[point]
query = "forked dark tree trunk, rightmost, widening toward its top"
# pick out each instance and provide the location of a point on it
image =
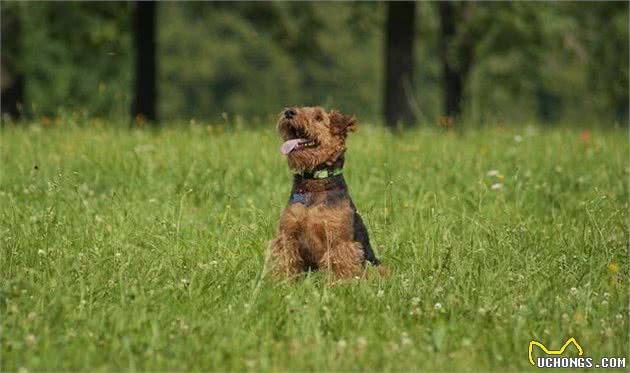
(456, 59)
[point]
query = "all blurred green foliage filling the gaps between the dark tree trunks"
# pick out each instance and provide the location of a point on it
(552, 61)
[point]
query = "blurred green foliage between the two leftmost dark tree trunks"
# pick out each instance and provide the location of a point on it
(77, 56)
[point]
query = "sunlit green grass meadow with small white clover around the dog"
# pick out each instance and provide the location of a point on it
(143, 250)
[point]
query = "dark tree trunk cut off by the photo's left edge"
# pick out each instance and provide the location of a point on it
(12, 84)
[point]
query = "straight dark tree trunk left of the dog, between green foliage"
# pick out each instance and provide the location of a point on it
(145, 84)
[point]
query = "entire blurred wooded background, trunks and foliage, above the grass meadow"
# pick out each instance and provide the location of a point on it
(391, 63)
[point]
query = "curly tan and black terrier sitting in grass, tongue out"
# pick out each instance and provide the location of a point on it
(320, 228)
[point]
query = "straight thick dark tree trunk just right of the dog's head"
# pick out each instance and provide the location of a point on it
(399, 63)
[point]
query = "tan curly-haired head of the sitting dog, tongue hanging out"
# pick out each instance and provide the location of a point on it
(313, 136)
